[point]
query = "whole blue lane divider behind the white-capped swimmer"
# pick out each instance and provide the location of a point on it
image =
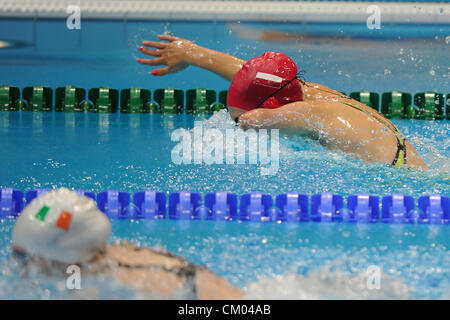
(255, 206)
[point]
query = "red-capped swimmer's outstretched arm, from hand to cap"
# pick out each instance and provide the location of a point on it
(177, 54)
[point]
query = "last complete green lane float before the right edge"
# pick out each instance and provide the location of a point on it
(431, 105)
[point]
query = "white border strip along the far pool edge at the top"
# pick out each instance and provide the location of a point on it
(285, 11)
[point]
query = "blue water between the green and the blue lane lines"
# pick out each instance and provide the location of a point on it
(133, 152)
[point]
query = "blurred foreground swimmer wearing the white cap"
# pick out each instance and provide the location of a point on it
(61, 228)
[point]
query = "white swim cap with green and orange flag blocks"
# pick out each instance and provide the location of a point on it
(63, 226)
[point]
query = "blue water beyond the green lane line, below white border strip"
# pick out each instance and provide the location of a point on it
(350, 57)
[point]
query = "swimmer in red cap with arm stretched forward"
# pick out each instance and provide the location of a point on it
(268, 92)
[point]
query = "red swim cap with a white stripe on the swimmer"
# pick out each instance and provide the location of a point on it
(262, 76)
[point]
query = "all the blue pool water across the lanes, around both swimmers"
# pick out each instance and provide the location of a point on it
(131, 152)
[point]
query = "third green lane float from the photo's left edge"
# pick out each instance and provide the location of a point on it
(69, 99)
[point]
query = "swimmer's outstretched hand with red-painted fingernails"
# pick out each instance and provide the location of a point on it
(173, 54)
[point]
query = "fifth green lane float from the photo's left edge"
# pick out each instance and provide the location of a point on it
(135, 100)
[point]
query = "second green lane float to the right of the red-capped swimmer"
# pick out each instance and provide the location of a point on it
(397, 104)
